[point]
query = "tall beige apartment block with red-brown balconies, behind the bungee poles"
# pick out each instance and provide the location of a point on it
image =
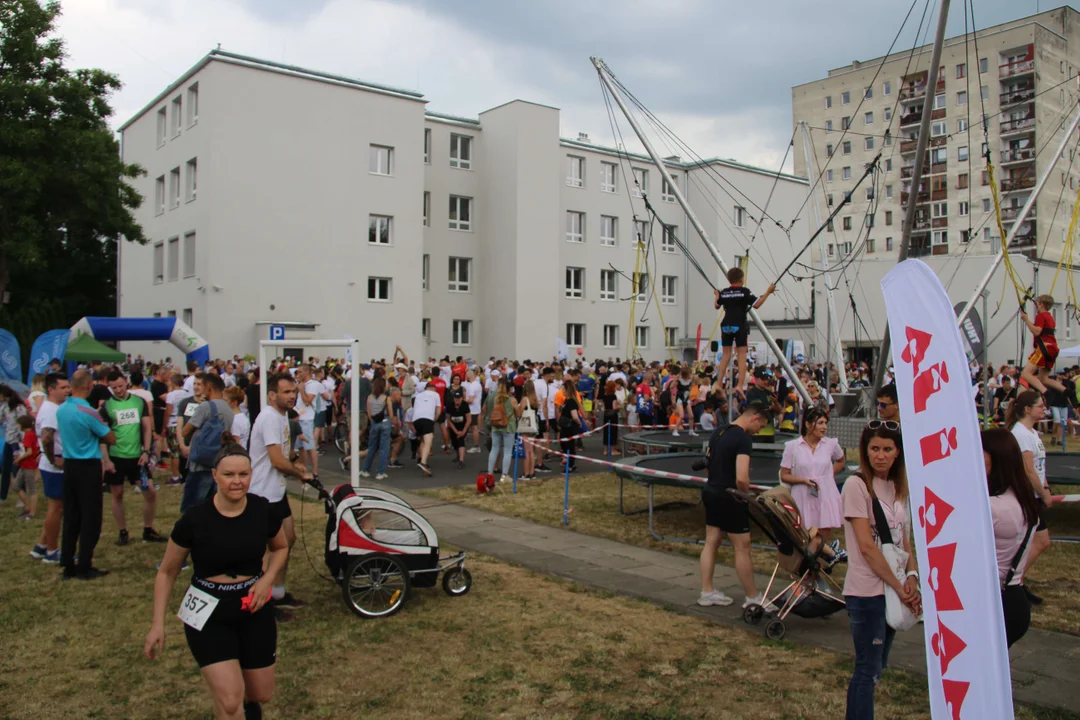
(1023, 78)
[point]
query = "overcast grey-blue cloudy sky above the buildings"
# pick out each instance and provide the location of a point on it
(719, 73)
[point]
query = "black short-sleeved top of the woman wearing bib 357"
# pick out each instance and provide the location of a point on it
(227, 546)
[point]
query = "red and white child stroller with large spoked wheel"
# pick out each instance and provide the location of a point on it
(379, 549)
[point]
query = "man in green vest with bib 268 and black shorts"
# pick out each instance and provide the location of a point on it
(131, 422)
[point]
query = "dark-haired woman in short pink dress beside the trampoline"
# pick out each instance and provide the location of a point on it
(809, 466)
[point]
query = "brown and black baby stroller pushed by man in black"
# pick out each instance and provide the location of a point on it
(803, 555)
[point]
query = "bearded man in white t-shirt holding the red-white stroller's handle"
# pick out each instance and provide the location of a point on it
(269, 453)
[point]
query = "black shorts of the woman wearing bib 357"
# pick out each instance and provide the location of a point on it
(232, 633)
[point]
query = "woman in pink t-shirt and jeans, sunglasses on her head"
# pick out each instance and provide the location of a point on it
(882, 480)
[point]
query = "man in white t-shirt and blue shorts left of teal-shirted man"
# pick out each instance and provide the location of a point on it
(51, 467)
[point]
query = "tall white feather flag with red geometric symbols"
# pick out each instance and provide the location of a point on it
(967, 657)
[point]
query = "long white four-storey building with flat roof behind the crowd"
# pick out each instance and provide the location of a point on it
(281, 196)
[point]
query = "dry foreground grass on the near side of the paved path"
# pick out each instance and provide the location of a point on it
(520, 646)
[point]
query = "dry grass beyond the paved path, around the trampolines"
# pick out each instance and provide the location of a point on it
(595, 500)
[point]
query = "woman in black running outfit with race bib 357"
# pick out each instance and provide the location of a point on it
(231, 630)
